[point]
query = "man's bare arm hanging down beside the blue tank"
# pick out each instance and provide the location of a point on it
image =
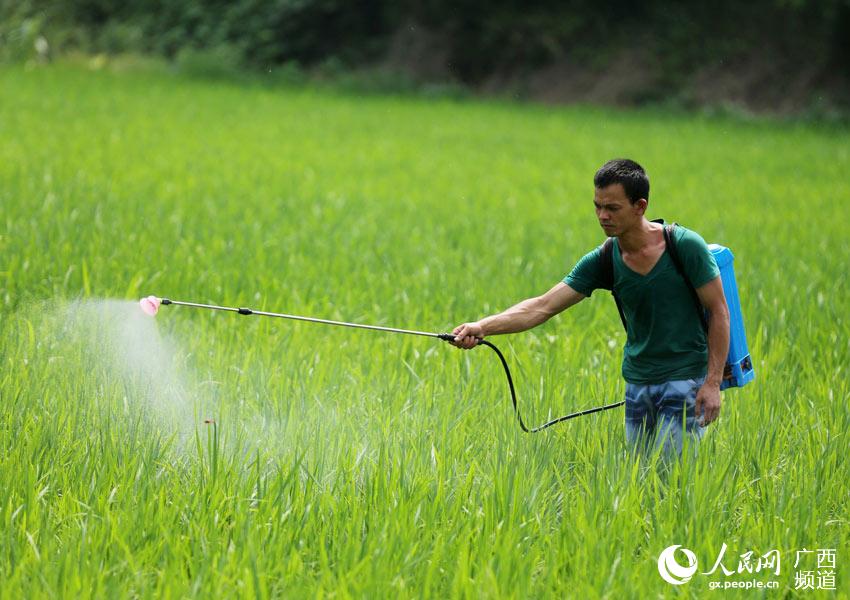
(708, 397)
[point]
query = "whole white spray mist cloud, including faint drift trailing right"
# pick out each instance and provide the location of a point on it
(131, 372)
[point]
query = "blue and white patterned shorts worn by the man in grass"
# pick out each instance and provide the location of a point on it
(659, 415)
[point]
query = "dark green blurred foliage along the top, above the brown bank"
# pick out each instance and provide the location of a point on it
(478, 39)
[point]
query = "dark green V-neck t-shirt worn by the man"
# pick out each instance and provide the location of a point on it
(665, 340)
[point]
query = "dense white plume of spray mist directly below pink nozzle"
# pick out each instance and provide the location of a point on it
(132, 371)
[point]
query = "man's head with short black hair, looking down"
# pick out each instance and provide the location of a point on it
(621, 195)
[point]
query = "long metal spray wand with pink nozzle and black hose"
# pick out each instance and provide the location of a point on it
(151, 306)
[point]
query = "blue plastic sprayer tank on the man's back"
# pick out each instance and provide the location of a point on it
(739, 365)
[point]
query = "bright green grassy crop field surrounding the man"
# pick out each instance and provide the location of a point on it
(356, 464)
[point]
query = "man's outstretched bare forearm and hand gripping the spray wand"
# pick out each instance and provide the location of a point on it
(520, 317)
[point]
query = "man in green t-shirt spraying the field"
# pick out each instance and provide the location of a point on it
(671, 366)
